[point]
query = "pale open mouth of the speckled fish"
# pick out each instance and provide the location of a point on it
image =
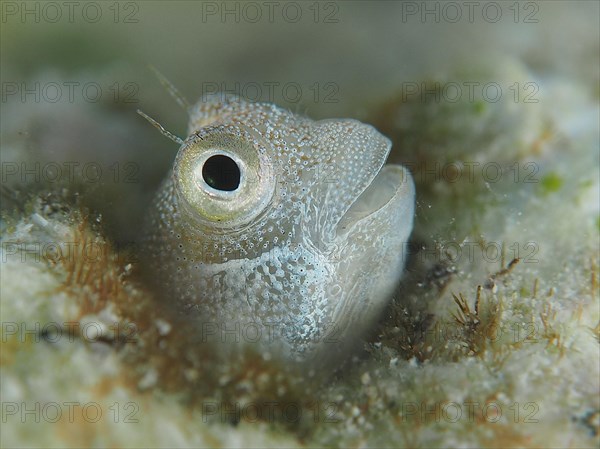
(386, 191)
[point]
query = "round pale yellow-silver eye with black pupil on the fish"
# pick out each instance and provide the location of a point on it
(224, 177)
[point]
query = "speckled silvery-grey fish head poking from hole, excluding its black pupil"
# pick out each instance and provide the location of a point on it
(291, 252)
